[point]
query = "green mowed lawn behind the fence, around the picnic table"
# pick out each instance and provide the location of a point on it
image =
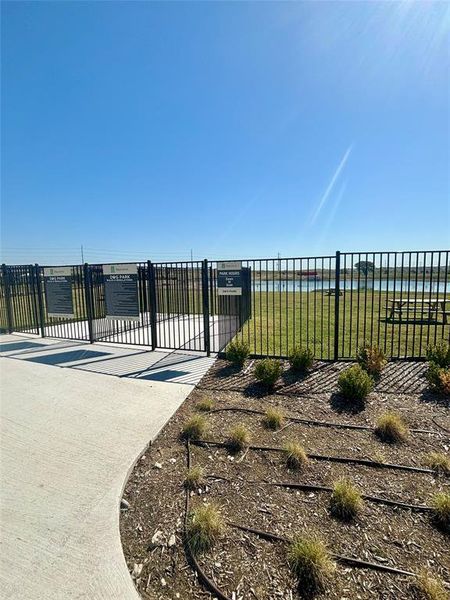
(281, 320)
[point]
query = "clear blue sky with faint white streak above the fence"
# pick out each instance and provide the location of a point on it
(145, 130)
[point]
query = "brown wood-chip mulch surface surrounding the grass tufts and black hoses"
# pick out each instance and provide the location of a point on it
(245, 566)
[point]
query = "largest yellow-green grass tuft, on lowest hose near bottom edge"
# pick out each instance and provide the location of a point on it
(310, 562)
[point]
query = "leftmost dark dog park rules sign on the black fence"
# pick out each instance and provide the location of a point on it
(58, 291)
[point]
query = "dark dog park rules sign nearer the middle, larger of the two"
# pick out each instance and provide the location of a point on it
(121, 292)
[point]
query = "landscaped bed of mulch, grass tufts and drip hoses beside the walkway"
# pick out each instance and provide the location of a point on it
(250, 488)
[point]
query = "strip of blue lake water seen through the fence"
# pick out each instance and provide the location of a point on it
(324, 284)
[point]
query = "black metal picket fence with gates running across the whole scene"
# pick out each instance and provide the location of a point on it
(332, 304)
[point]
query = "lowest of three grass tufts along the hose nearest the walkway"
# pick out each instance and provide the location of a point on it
(205, 526)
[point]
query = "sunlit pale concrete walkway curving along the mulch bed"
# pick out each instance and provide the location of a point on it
(68, 440)
